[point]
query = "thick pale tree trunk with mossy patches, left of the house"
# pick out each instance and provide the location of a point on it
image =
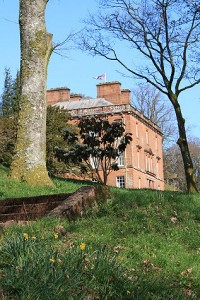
(29, 162)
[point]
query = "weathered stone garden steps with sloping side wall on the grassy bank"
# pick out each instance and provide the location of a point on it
(70, 206)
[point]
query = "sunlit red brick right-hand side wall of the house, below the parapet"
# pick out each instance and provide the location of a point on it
(143, 157)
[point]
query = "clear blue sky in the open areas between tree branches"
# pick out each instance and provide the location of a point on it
(76, 71)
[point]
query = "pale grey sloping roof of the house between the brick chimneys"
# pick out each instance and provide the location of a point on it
(83, 103)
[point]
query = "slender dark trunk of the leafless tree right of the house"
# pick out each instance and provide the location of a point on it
(183, 144)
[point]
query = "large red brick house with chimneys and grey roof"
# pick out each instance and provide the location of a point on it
(141, 166)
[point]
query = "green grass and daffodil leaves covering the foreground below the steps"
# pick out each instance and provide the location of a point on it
(140, 245)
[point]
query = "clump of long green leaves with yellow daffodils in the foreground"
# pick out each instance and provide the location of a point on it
(64, 271)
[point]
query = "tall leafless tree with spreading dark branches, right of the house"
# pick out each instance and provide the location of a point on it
(164, 36)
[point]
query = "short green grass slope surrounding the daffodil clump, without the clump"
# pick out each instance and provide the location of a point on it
(154, 235)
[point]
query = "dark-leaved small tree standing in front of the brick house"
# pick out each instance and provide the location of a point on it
(101, 145)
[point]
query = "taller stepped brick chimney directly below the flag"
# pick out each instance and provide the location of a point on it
(112, 92)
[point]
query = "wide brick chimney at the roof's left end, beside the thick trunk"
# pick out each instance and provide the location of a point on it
(57, 95)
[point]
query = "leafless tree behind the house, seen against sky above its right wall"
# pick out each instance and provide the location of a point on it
(150, 102)
